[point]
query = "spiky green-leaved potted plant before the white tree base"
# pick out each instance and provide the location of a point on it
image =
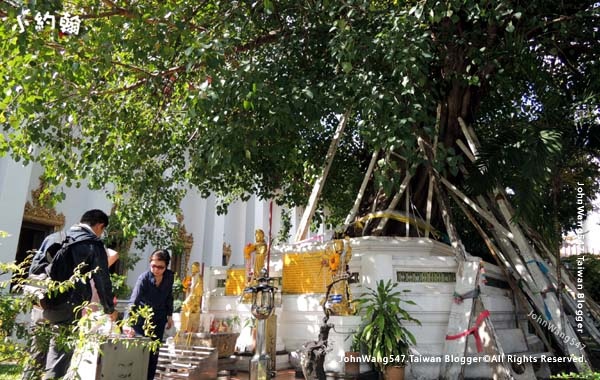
(384, 335)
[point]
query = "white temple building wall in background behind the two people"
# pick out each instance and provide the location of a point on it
(209, 230)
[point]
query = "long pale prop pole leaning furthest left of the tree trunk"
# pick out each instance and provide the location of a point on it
(318, 186)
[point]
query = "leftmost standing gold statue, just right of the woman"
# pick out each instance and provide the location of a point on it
(191, 307)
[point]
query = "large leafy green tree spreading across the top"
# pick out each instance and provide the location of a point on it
(240, 97)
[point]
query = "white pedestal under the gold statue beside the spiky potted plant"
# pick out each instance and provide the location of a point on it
(340, 341)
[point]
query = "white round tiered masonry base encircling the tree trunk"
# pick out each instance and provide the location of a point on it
(424, 268)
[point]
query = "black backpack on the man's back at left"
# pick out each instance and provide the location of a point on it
(55, 263)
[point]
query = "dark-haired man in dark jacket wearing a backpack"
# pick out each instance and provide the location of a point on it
(81, 247)
